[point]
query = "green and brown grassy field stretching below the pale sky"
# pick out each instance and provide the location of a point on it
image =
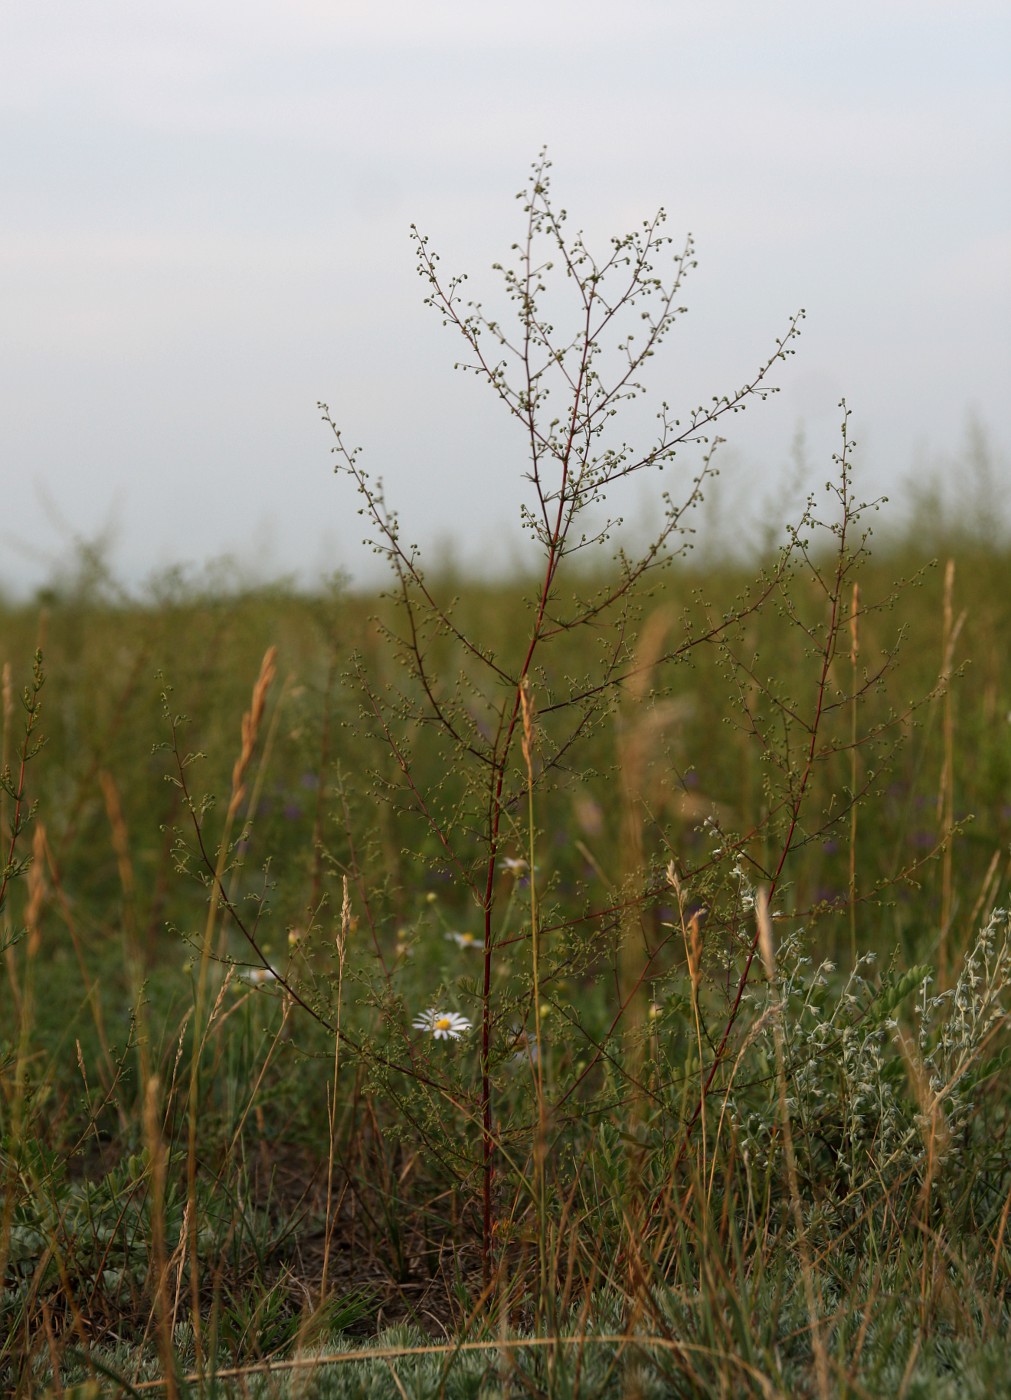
(239, 1158)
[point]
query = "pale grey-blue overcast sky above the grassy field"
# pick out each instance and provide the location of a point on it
(205, 229)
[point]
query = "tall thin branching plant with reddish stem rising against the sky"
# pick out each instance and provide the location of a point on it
(565, 366)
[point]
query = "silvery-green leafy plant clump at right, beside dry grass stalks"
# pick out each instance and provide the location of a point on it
(870, 1104)
